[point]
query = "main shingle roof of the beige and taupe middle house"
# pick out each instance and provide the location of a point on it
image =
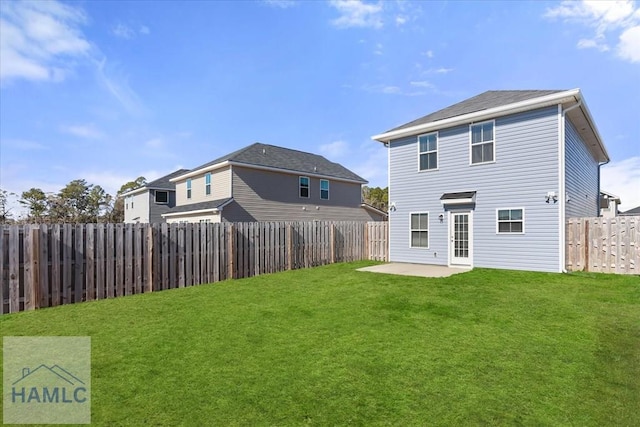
(259, 154)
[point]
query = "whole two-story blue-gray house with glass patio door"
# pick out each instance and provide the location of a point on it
(491, 181)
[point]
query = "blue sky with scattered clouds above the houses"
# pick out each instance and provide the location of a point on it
(108, 91)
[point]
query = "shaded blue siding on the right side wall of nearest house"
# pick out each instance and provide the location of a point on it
(581, 176)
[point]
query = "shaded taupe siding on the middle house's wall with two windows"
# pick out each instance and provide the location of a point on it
(271, 196)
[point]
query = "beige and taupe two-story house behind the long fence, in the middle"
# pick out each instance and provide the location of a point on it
(268, 183)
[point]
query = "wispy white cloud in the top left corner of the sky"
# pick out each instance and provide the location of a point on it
(39, 40)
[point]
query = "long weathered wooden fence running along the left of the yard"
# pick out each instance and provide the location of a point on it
(50, 265)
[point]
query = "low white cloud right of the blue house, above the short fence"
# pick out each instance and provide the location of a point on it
(622, 178)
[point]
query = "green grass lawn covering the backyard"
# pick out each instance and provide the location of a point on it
(334, 346)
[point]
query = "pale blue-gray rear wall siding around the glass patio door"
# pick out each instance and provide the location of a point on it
(526, 168)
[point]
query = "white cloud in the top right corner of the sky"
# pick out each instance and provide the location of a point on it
(607, 20)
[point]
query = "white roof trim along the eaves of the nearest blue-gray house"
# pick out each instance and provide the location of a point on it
(516, 107)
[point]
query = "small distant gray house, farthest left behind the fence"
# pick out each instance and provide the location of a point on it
(149, 202)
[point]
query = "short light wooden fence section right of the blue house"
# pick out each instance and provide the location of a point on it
(605, 245)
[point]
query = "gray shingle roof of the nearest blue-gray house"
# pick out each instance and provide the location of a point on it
(484, 101)
